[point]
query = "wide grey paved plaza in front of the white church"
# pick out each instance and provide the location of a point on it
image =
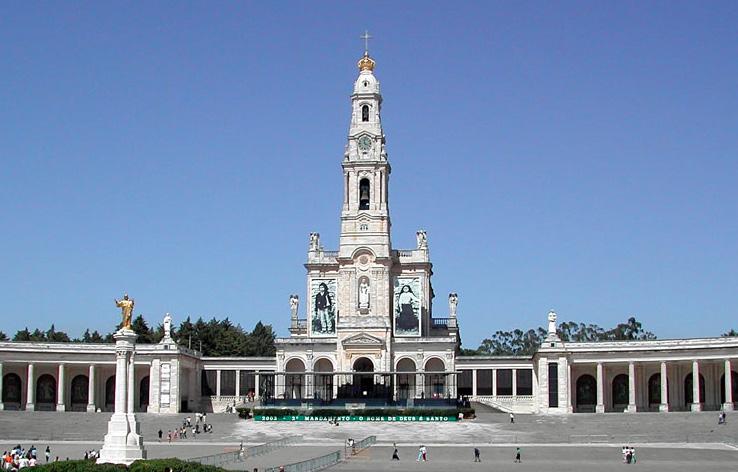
(674, 441)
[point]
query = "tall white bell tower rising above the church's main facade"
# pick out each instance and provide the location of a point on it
(365, 218)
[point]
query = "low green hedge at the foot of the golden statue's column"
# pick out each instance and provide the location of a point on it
(153, 465)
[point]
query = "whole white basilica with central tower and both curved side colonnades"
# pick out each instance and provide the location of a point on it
(368, 333)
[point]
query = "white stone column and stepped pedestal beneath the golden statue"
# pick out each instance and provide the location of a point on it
(123, 443)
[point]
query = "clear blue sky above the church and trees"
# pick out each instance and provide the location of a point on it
(580, 156)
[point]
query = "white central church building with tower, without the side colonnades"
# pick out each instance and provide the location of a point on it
(369, 306)
